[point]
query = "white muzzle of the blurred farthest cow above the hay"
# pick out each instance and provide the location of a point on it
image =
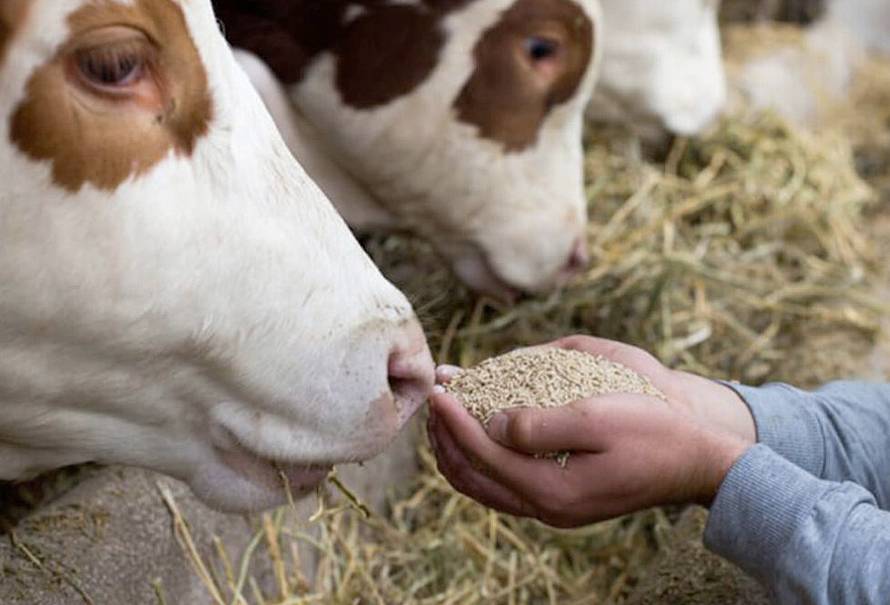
(662, 66)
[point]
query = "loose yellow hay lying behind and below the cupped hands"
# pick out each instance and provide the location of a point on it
(739, 256)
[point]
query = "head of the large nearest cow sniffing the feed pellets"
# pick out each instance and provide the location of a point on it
(175, 292)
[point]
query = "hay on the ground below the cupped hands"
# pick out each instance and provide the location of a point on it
(436, 548)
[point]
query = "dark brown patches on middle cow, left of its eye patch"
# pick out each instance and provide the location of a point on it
(384, 52)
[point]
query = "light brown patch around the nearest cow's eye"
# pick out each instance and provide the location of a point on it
(126, 89)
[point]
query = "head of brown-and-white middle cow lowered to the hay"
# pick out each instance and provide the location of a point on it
(460, 120)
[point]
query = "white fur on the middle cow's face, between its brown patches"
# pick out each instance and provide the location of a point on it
(496, 216)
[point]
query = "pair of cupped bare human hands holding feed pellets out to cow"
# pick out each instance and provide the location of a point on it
(629, 452)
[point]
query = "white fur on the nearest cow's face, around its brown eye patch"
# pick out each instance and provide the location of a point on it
(197, 320)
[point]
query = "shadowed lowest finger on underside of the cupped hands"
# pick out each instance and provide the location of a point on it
(460, 473)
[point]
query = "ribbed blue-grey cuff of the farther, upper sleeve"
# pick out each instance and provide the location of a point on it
(786, 423)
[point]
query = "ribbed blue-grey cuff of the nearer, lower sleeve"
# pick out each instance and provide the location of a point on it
(762, 502)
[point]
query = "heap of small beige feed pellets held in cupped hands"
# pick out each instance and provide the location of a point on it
(543, 378)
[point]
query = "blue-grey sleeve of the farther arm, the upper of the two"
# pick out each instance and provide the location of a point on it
(839, 433)
